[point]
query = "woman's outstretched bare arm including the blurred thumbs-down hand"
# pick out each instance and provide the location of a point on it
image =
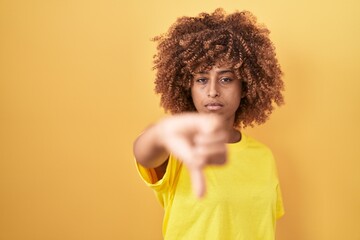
(197, 139)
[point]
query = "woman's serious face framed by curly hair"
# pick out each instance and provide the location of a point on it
(217, 91)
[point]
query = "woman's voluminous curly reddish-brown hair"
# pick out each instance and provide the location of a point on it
(197, 43)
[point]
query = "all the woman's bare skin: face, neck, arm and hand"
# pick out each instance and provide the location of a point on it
(198, 139)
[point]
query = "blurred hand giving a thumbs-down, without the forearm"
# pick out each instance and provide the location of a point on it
(197, 140)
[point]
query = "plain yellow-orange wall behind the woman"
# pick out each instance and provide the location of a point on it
(76, 89)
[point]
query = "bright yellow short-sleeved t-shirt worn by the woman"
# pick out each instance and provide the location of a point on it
(243, 198)
